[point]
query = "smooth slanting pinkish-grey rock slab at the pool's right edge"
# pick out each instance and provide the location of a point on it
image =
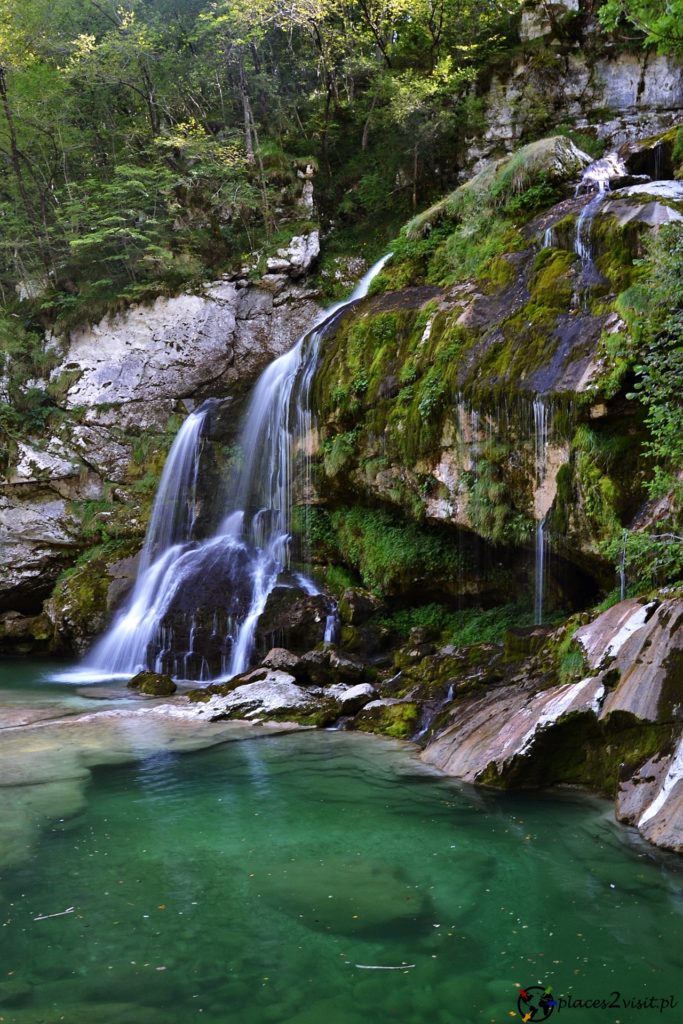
(619, 730)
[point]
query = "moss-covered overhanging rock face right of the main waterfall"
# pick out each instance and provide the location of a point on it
(488, 410)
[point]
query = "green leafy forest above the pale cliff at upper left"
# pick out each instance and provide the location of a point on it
(148, 143)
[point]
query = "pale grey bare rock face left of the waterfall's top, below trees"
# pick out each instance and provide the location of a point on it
(187, 348)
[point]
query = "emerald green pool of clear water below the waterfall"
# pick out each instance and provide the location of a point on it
(247, 882)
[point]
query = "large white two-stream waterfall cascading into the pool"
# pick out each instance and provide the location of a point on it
(244, 558)
